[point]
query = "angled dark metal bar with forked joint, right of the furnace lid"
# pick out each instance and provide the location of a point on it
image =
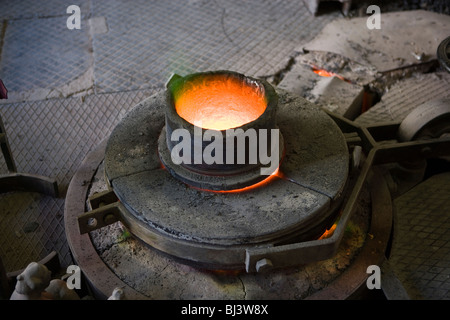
(381, 146)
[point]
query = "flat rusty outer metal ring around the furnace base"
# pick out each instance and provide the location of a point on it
(103, 280)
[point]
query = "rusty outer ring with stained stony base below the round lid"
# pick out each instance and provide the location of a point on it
(109, 263)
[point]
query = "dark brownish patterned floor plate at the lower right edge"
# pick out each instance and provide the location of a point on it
(421, 247)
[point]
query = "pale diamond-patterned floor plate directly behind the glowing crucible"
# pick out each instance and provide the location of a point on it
(147, 42)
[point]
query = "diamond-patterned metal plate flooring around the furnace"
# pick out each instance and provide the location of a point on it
(67, 89)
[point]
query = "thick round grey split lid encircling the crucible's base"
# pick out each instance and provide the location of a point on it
(216, 228)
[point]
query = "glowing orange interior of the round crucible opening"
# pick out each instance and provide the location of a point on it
(220, 104)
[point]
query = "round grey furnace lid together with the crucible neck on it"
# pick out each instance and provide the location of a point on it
(209, 215)
